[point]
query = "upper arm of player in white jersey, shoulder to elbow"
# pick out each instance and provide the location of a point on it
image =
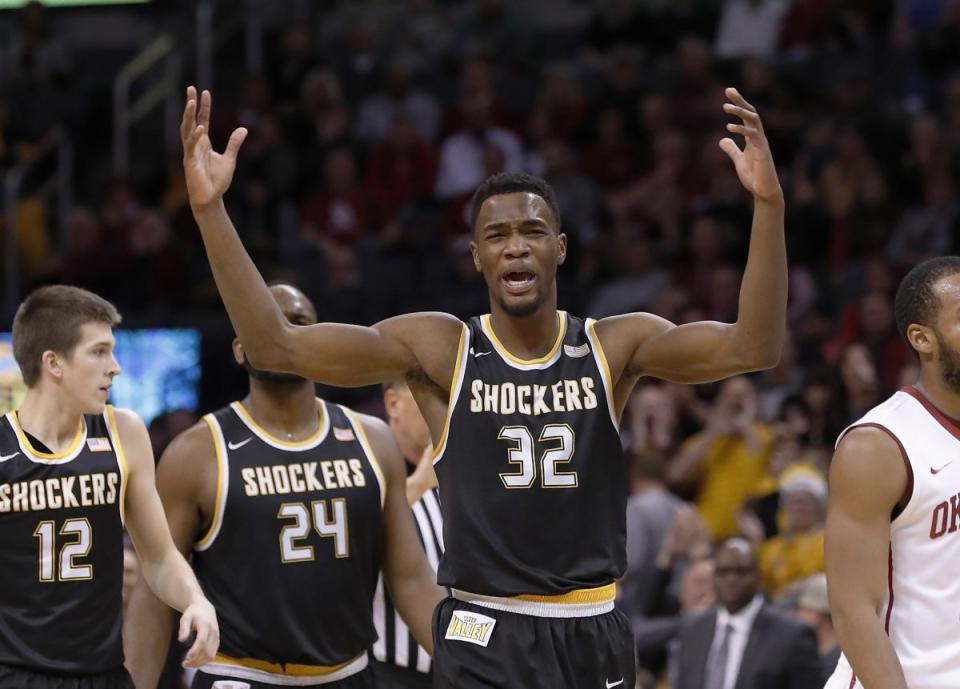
(868, 478)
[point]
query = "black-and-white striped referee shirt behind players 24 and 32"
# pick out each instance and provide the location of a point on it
(396, 644)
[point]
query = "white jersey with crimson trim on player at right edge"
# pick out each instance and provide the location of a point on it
(922, 611)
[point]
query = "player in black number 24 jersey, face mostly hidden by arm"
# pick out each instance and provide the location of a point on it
(290, 505)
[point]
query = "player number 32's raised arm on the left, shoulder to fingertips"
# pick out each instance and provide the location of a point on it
(332, 353)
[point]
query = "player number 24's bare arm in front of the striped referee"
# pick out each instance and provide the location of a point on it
(407, 574)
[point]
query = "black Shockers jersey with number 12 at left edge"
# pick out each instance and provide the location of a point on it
(61, 548)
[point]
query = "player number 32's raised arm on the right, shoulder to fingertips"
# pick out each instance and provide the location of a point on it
(642, 344)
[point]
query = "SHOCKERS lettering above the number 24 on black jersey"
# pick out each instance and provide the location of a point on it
(303, 477)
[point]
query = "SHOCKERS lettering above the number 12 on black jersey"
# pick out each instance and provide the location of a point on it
(62, 492)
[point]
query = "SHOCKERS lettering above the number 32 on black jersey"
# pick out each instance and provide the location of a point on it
(533, 400)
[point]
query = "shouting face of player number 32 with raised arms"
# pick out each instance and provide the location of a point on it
(517, 248)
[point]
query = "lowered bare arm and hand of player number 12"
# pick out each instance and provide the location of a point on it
(164, 569)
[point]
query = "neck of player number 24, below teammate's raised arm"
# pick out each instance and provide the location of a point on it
(286, 411)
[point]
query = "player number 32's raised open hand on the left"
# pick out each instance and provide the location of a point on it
(208, 173)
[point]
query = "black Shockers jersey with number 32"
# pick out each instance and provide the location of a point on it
(532, 476)
